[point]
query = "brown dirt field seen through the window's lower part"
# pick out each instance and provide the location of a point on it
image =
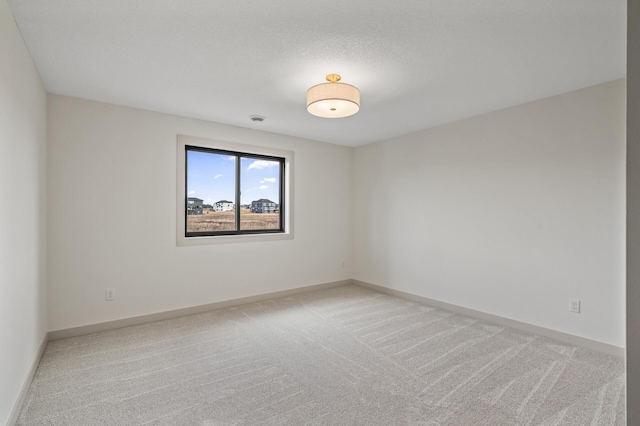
(225, 221)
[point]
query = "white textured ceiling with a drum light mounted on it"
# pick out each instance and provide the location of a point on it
(418, 63)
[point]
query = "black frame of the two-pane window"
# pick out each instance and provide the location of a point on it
(238, 156)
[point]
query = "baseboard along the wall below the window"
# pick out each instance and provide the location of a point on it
(127, 322)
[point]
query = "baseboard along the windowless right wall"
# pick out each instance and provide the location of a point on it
(502, 321)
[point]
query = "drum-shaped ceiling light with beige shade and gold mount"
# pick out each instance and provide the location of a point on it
(333, 99)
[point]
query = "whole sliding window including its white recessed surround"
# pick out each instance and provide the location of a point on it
(230, 191)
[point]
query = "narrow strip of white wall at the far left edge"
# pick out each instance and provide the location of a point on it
(23, 129)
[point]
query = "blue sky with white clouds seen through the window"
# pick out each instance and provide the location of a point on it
(211, 177)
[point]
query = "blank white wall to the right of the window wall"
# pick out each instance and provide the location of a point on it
(510, 213)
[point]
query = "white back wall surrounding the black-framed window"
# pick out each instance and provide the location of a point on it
(107, 161)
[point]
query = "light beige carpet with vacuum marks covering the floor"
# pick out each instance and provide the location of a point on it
(343, 356)
